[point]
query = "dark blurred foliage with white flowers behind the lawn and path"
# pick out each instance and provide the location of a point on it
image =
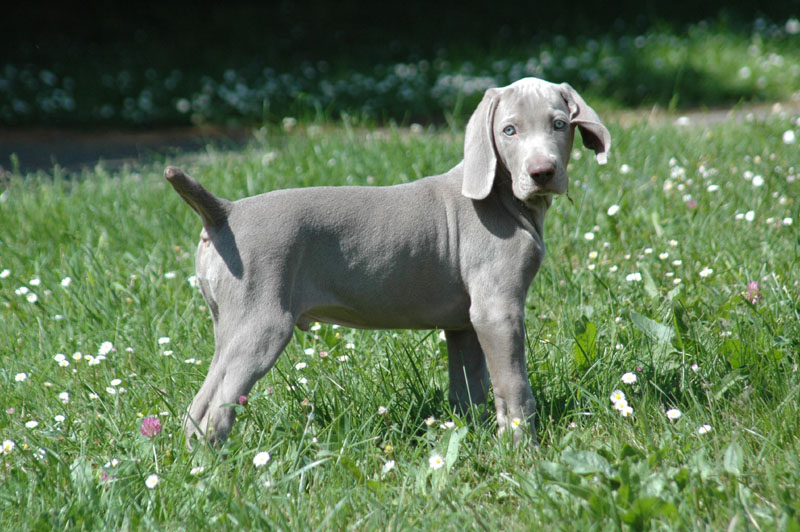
(154, 64)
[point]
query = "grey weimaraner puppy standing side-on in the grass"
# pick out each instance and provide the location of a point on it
(456, 251)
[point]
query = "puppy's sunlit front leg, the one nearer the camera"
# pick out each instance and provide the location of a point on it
(500, 326)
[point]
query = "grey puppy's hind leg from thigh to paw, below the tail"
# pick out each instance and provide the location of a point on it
(244, 353)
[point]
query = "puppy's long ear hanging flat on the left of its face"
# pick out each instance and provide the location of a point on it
(480, 159)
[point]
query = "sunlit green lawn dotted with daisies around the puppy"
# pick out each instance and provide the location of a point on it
(119, 236)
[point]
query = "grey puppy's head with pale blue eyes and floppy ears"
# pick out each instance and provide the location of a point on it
(526, 130)
